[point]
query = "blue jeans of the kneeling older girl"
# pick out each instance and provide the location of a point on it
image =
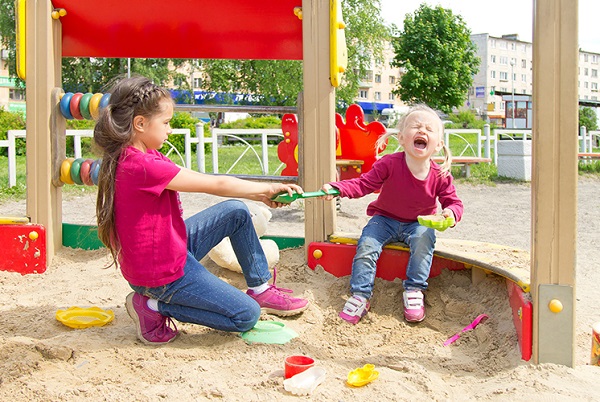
(200, 297)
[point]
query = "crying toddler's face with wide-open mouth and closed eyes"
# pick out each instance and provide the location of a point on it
(422, 135)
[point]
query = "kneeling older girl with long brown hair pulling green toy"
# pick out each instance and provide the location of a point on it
(140, 221)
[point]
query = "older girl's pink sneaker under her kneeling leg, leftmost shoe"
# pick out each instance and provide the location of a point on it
(153, 328)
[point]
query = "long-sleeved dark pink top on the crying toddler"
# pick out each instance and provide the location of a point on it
(403, 197)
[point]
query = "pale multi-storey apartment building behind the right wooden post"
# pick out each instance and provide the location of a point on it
(506, 75)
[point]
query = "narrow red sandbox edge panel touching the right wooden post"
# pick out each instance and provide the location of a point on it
(522, 318)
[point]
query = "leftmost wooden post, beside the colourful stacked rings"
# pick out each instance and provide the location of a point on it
(43, 73)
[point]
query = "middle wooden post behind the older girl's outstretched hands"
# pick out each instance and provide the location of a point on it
(317, 155)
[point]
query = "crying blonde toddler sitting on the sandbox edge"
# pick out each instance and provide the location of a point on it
(411, 184)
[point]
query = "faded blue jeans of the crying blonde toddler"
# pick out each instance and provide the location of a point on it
(376, 234)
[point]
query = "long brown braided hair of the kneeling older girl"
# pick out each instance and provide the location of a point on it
(130, 97)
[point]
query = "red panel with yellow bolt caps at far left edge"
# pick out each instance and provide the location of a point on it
(23, 248)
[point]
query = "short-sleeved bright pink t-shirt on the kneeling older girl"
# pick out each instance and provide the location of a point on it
(148, 219)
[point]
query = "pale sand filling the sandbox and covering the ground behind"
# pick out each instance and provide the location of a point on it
(43, 360)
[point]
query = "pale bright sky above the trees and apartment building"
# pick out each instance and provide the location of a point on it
(499, 18)
